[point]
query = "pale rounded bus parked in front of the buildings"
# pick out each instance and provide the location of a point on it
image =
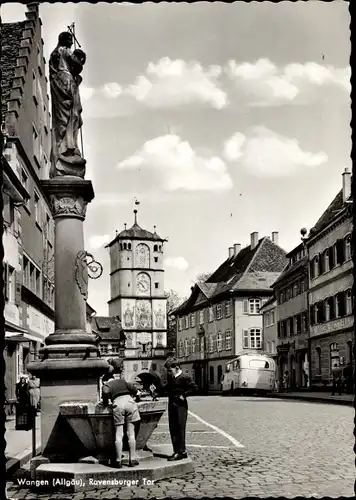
(249, 372)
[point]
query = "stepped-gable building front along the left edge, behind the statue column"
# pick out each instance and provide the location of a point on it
(29, 231)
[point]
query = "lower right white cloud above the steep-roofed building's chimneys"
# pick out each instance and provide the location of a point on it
(268, 154)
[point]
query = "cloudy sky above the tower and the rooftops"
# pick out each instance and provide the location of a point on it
(220, 119)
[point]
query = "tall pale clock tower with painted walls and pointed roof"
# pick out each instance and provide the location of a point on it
(138, 298)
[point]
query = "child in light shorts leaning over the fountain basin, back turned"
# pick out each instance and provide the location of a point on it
(125, 411)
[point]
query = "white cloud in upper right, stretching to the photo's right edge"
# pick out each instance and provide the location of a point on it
(267, 84)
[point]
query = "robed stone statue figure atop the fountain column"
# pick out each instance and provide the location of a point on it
(65, 67)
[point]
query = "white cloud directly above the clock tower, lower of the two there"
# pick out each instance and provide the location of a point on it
(179, 166)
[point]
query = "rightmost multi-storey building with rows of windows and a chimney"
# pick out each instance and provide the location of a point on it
(331, 298)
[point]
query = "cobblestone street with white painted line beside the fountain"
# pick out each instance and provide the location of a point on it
(251, 447)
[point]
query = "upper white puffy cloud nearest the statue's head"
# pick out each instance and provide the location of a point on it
(170, 83)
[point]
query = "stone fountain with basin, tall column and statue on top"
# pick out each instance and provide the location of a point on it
(77, 432)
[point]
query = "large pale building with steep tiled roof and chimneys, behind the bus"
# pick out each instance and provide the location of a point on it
(222, 316)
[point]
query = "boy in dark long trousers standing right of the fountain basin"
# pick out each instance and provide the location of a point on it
(178, 387)
